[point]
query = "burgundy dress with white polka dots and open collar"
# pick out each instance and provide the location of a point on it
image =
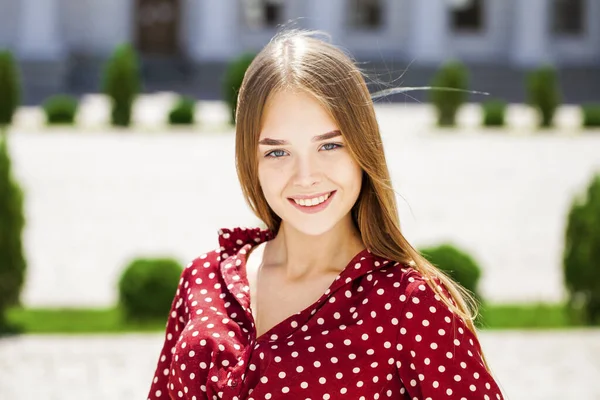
(378, 332)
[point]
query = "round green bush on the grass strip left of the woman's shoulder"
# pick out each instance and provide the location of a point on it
(147, 287)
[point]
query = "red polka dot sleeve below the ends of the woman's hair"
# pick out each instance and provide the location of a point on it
(437, 354)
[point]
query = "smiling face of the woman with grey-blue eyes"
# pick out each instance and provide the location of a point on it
(306, 172)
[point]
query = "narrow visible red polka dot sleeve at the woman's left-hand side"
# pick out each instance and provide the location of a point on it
(176, 321)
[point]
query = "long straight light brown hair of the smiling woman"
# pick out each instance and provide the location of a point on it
(297, 60)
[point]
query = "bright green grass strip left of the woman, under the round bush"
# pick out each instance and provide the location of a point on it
(77, 321)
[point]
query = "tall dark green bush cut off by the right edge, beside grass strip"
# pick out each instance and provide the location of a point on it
(582, 252)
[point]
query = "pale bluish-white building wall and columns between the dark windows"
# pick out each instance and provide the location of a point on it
(214, 30)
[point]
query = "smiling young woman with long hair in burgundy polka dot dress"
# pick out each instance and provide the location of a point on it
(329, 301)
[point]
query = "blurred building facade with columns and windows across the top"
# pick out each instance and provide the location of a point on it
(47, 35)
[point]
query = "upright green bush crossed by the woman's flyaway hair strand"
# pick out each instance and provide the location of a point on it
(453, 74)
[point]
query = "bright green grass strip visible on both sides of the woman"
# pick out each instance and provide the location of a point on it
(109, 320)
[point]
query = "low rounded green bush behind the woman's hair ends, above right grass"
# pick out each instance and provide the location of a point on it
(457, 264)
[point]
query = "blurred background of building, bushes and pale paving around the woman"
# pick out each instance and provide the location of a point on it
(117, 169)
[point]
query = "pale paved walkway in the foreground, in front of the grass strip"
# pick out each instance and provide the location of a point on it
(528, 365)
